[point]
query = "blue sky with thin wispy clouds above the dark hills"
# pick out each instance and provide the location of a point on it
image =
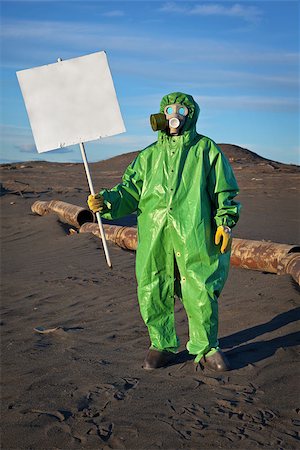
(239, 60)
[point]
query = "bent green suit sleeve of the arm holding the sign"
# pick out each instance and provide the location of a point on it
(123, 199)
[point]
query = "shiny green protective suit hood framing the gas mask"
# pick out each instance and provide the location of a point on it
(189, 128)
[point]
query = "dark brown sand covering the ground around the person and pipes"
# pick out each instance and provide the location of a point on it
(82, 387)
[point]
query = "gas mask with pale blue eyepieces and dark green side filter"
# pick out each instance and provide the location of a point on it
(172, 120)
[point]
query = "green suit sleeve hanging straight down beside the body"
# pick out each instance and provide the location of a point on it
(223, 188)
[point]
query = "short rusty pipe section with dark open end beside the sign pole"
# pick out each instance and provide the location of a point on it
(71, 214)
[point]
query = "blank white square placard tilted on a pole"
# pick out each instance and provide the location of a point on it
(71, 101)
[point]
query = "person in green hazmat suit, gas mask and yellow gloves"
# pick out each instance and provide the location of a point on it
(183, 189)
